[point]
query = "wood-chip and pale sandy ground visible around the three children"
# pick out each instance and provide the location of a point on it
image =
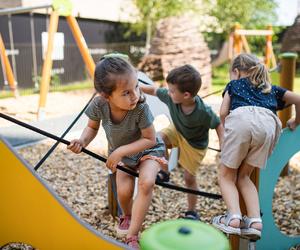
(82, 181)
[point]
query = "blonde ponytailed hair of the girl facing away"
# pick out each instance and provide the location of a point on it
(256, 71)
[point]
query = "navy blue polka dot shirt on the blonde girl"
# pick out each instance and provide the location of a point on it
(243, 93)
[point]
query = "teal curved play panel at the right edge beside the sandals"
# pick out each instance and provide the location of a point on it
(272, 238)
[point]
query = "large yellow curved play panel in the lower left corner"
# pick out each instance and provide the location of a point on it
(31, 213)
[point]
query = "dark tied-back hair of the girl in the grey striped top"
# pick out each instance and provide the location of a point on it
(107, 73)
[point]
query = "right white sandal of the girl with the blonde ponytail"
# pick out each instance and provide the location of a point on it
(249, 232)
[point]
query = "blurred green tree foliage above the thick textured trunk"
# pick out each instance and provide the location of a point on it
(214, 16)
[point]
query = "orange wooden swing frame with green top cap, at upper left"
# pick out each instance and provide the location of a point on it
(58, 8)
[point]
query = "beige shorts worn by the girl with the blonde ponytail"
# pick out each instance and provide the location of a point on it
(250, 136)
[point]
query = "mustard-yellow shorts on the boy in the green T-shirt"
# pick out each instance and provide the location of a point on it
(190, 158)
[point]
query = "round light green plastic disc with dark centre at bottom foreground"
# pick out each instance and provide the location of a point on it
(183, 234)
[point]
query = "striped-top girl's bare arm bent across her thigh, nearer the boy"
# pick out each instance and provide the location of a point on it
(147, 140)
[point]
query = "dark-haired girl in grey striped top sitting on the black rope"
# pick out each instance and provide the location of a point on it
(127, 122)
